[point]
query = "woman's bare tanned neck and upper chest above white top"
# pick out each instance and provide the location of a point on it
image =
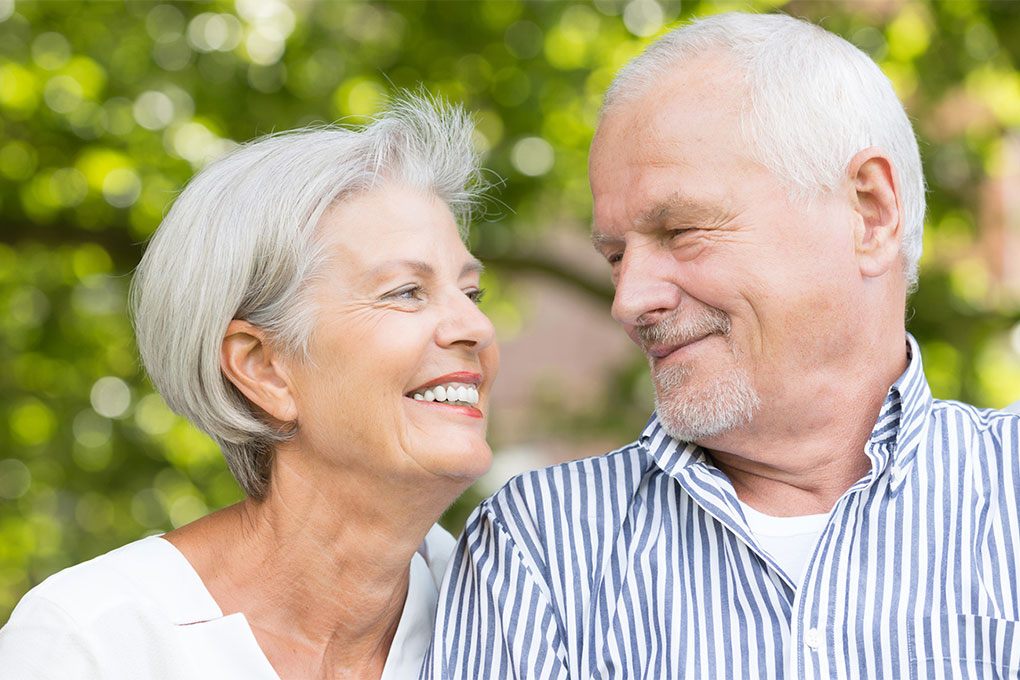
(320, 568)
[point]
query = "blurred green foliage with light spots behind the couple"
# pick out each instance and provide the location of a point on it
(108, 109)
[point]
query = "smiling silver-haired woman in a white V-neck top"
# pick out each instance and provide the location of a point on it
(309, 302)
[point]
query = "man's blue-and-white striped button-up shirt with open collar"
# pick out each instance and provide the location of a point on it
(640, 564)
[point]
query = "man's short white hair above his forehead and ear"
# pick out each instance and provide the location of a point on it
(814, 101)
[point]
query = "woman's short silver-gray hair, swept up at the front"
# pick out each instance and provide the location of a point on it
(239, 244)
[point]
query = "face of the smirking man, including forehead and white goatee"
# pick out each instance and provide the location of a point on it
(739, 297)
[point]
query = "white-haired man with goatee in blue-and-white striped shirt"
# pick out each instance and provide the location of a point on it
(799, 506)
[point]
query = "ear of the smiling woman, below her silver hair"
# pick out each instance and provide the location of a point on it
(250, 362)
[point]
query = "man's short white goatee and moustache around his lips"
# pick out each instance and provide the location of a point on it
(721, 404)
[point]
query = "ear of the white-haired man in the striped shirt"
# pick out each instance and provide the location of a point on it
(879, 208)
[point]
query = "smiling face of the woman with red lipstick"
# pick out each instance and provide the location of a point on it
(397, 326)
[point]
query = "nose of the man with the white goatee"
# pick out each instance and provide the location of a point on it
(646, 288)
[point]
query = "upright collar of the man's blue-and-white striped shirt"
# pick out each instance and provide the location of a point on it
(899, 432)
